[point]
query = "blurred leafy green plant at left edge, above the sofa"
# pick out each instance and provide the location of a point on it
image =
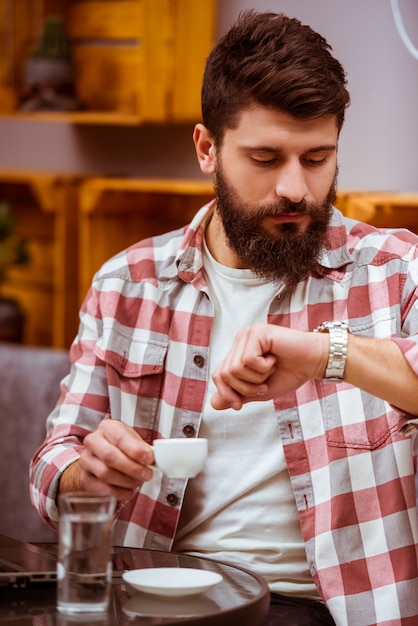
(13, 249)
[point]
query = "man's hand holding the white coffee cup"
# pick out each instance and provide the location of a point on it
(114, 461)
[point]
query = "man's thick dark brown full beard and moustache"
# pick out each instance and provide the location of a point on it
(288, 254)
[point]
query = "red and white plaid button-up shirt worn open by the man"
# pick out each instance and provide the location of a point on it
(141, 357)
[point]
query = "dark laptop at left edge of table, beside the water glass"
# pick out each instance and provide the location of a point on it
(24, 565)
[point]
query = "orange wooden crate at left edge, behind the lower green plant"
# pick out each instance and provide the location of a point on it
(45, 206)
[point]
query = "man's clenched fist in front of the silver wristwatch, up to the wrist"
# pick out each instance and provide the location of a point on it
(268, 361)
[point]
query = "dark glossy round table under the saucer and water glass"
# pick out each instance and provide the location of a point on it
(241, 597)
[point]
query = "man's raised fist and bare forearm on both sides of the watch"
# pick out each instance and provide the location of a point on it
(268, 361)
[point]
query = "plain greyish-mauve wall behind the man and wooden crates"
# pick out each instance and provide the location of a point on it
(379, 144)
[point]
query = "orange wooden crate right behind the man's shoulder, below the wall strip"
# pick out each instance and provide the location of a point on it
(117, 212)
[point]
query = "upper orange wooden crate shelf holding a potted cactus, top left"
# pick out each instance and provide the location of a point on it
(136, 61)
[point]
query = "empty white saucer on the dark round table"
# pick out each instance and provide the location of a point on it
(171, 581)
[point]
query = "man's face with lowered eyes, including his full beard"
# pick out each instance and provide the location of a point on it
(275, 182)
